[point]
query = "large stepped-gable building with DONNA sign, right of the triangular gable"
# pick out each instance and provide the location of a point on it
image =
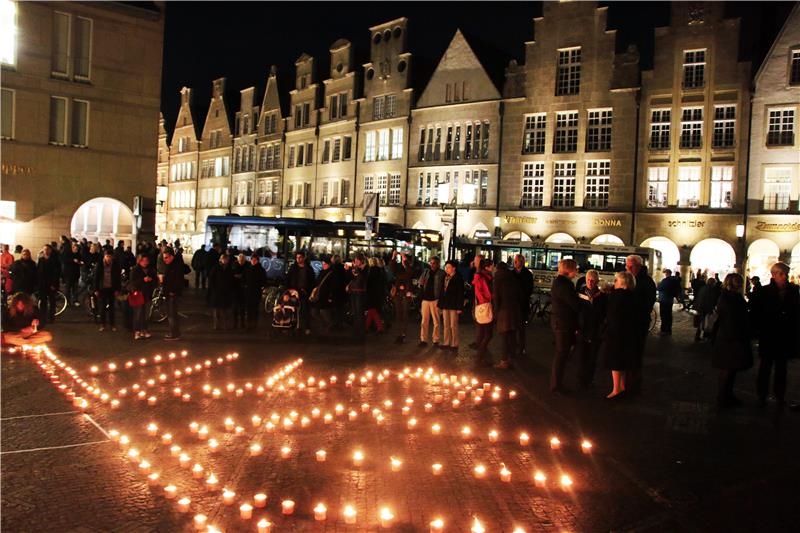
(568, 132)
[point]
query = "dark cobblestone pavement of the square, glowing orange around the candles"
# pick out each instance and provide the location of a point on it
(665, 461)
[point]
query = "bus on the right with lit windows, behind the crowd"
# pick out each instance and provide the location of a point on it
(542, 258)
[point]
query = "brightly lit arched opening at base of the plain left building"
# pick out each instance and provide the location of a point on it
(103, 218)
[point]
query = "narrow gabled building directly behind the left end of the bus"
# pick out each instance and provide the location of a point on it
(214, 184)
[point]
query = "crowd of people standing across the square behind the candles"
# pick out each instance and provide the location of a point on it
(602, 323)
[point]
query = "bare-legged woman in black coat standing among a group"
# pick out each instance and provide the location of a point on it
(618, 349)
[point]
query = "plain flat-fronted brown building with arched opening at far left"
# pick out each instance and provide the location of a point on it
(71, 75)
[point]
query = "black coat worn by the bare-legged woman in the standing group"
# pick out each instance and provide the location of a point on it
(618, 347)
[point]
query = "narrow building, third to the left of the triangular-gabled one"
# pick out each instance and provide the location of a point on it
(300, 165)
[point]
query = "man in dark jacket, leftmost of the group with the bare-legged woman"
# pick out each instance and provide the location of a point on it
(565, 306)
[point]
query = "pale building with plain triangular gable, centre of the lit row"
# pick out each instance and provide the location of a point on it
(454, 145)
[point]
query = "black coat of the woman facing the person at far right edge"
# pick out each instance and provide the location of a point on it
(732, 333)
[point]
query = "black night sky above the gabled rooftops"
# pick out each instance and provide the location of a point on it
(240, 40)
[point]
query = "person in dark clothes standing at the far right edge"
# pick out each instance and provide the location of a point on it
(776, 310)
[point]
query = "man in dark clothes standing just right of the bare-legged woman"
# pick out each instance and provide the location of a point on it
(645, 295)
